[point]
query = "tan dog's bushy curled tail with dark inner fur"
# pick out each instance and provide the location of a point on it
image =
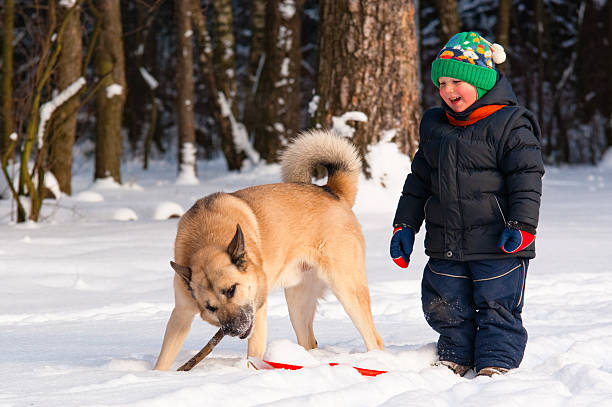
(315, 148)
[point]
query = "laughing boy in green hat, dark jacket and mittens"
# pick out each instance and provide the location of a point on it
(476, 181)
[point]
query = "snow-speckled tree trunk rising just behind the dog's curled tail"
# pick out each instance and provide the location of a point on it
(278, 93)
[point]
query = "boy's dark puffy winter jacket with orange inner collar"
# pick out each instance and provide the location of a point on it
(469, 180)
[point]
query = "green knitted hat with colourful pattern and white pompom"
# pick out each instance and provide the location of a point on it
(469, 57)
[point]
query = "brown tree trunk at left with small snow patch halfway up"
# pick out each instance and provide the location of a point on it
(110, 98)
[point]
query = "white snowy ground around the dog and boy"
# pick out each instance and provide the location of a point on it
(86, 295)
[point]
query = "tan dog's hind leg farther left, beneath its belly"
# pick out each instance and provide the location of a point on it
(302, 304)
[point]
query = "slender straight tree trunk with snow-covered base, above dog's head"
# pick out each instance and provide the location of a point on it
(184, 99)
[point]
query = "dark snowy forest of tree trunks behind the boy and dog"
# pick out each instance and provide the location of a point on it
(186, 80)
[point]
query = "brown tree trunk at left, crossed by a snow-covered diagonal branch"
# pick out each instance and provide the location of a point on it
(68, 71)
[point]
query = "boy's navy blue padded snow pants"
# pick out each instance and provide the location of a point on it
(476, 307)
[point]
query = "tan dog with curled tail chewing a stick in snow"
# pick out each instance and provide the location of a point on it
(232, 249)
